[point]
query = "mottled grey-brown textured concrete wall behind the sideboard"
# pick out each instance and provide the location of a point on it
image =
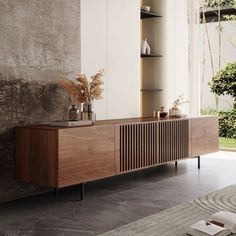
(39, 45)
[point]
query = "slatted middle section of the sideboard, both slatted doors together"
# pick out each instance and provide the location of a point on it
(147, 144)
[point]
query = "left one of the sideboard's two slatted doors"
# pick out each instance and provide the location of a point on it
(138, 146)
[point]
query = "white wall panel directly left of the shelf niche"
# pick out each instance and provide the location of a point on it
(123, 58)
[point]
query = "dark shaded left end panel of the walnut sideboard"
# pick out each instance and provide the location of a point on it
(36, 156)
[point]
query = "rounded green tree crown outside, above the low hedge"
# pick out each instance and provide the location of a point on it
(225, 82)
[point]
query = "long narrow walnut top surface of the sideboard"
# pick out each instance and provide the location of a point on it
(114, 122)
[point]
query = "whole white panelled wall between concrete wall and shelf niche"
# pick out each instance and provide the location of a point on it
(110, 39)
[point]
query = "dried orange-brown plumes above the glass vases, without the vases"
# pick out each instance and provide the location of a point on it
(83, 89)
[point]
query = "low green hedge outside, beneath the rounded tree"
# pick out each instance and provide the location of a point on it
(227, 124)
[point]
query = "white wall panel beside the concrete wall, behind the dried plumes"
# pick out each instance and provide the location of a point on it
(94, 45)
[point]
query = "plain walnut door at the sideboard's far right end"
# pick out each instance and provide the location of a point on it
(204, 136)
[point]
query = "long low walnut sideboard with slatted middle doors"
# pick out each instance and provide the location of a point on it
(59, 157)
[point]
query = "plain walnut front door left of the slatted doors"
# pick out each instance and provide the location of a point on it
(86, 154)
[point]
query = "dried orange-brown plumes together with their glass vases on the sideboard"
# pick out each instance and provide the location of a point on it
(84, 90)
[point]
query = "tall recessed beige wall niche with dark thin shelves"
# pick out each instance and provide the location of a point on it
(151, 65)
